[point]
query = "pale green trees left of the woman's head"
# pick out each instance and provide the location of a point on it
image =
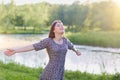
(34, 15)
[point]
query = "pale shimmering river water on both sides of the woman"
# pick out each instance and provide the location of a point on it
(94, 60)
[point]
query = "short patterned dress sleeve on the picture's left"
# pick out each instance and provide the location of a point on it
(41, 45)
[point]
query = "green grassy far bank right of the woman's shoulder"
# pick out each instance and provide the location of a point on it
(100, 38)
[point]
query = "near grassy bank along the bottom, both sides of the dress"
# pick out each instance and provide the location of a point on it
(19, 72)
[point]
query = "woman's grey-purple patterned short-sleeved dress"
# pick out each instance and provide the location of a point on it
(57, 53)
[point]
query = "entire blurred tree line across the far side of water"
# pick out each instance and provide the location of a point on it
(102, 15)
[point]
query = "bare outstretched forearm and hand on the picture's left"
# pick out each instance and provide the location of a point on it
(10, 52)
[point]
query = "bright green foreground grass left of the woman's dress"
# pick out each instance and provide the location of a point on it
(13, 71)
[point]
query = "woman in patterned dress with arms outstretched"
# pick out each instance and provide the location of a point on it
(56, 45)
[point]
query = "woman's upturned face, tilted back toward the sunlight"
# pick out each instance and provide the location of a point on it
(59, 28)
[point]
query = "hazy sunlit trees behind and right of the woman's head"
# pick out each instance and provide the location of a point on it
(103, 15)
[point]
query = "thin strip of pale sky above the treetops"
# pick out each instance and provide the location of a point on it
(21, 2)
